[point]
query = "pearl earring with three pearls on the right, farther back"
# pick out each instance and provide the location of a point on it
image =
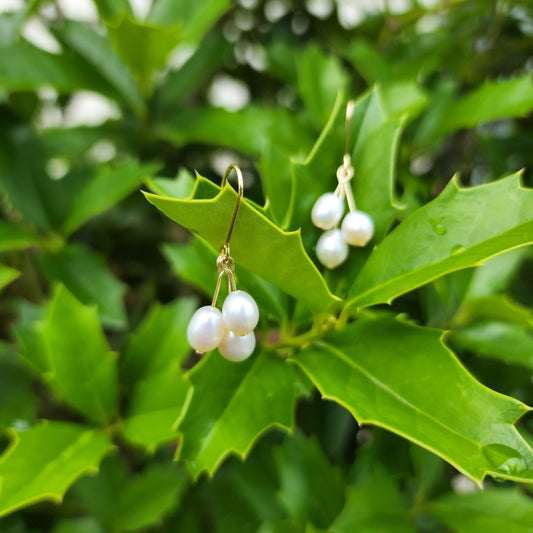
(357, 228)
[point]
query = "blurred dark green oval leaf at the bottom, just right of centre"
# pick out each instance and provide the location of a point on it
(310, 488)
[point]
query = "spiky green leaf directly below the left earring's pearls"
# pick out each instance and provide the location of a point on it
(232, 405)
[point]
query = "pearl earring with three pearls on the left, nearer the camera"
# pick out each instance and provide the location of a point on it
(229, 330)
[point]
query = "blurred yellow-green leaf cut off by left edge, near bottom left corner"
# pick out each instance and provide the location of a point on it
(44, 461)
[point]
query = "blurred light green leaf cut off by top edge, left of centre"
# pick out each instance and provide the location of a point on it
(194, 18)
